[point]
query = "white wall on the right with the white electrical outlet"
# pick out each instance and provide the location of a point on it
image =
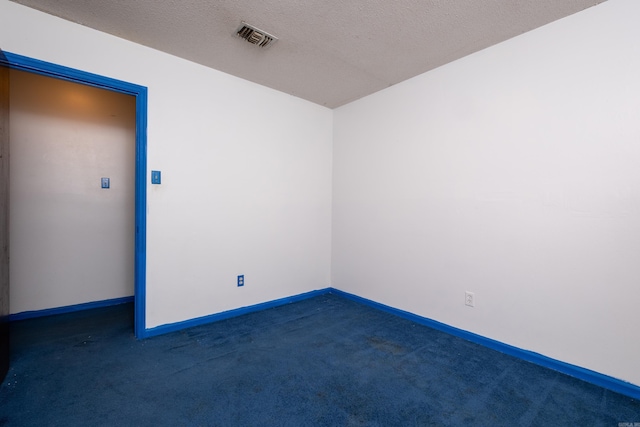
(512, 173)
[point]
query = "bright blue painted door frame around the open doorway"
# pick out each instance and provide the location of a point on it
(140, 92)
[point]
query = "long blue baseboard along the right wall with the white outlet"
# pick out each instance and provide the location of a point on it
(587, 375)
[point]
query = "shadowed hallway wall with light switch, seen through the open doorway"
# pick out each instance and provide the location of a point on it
(71, 241)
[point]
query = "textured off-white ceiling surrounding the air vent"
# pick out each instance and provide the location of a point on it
(329, 52)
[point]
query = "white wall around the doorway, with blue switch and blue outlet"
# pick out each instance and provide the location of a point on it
(241, 194)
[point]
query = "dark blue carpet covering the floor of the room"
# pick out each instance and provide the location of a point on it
(324, 361)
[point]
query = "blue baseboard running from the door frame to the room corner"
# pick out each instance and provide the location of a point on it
(173, 327)
